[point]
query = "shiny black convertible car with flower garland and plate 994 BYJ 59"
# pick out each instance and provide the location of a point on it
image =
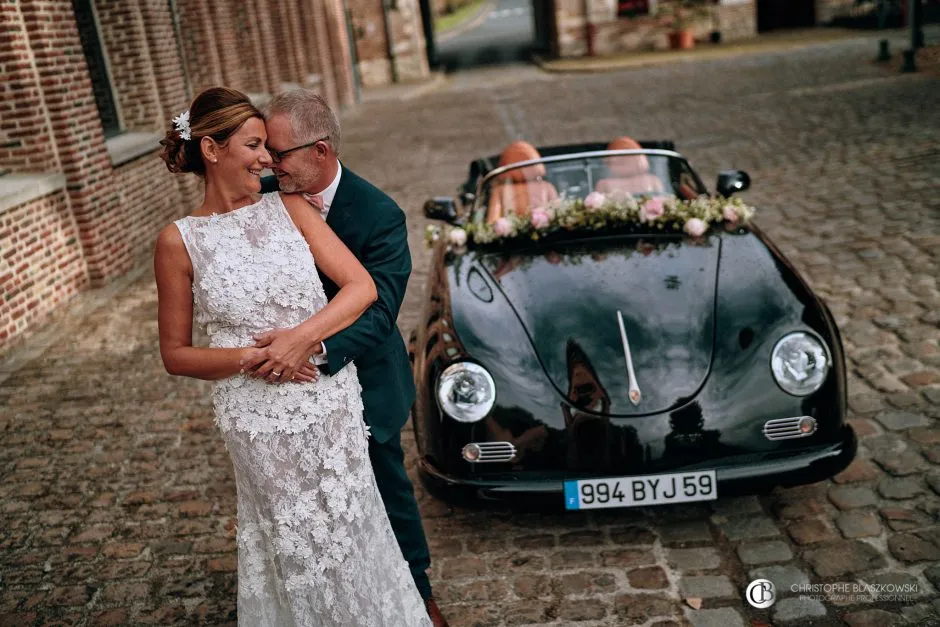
(598, 327)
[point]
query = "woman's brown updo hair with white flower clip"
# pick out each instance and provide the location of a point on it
(217, 113)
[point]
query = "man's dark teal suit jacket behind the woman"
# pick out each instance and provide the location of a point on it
(373, 227)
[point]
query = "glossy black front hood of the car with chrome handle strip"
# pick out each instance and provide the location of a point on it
(567, 299)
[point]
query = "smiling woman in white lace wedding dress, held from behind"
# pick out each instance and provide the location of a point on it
(315, 546)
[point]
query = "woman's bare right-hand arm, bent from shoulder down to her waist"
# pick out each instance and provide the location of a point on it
(291, 348)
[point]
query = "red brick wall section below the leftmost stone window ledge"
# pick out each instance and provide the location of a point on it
(41, 266)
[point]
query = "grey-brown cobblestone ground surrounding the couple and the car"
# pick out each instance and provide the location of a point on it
(117, 501)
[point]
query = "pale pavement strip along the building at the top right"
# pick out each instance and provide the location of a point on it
(654, 59)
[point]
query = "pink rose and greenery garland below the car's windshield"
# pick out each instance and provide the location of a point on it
(604, 211)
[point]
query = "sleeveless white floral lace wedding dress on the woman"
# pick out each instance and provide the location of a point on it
(315, 546)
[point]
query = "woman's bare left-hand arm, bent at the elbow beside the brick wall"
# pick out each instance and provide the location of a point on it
(174, 274)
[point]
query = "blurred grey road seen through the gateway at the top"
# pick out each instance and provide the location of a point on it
(505, 36)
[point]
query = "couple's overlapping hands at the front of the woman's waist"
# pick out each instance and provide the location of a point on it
(284, 357)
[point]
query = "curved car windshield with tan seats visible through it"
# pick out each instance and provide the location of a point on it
(519, 188)
